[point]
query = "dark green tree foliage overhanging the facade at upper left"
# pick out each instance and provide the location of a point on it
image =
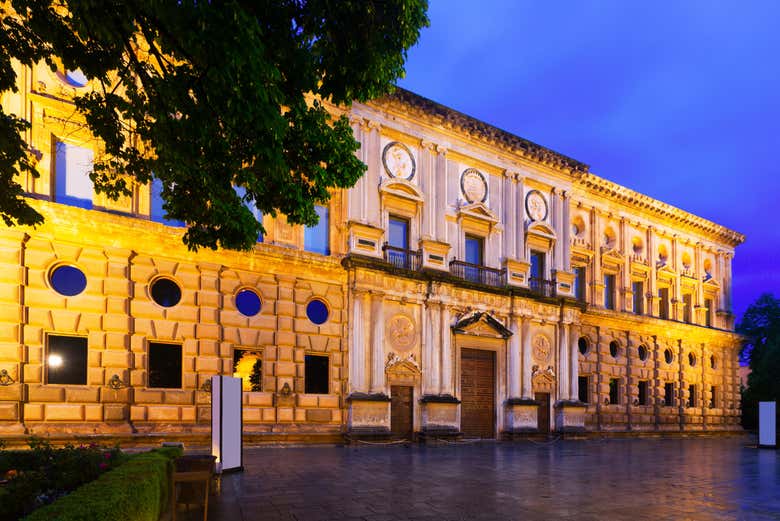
(209, 96)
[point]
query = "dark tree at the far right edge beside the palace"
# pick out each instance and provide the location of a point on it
(761, 327)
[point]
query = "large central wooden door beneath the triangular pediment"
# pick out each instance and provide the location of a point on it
(478, 393)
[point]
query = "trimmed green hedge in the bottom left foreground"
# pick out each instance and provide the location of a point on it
(135, 491)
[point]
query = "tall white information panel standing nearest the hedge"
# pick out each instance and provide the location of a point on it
(226, 423)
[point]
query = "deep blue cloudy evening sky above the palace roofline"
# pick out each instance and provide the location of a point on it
(677, 100)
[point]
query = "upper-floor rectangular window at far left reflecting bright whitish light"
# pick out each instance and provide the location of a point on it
(72, 165)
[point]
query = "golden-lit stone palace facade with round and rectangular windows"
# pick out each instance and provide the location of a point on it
(471, 284)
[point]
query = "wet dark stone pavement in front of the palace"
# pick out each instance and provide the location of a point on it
(639, 479)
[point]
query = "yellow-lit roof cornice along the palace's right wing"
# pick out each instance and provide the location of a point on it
(615, 192)
